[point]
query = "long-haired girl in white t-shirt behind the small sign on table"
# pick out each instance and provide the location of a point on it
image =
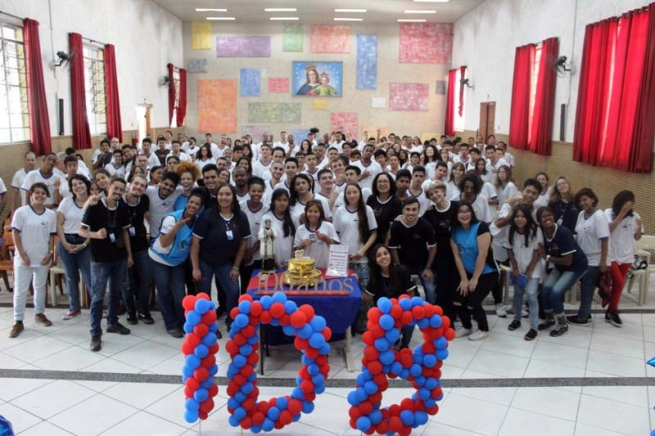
(355, 223)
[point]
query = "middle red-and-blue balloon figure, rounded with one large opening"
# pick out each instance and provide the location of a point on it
(311, 338)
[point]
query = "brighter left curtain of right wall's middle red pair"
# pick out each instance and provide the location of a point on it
(519, 122)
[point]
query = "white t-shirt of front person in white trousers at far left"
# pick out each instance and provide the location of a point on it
(35, 231)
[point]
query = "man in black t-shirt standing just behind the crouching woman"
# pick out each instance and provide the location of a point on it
(413, 245)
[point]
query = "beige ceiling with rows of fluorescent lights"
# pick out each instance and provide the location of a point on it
(319, 11)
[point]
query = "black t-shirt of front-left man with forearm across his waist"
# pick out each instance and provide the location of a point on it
(101, 217)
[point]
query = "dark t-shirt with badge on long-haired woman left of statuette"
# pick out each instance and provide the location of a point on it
(216, 246)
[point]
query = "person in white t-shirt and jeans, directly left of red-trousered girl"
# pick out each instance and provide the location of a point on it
(593, 234)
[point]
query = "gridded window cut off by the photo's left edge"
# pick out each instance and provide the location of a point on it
(14, 112)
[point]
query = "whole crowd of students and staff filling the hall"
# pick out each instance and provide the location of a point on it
(185, 217)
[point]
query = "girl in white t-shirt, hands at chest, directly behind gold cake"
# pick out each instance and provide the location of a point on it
(316, 235)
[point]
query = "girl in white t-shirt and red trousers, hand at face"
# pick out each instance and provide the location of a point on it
(625, 226)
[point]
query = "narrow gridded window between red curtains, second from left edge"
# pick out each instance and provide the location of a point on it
(96, 93)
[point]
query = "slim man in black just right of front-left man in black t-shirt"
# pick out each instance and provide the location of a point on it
(139, 275)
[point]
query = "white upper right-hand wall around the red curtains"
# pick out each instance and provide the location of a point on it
(485, 40)
